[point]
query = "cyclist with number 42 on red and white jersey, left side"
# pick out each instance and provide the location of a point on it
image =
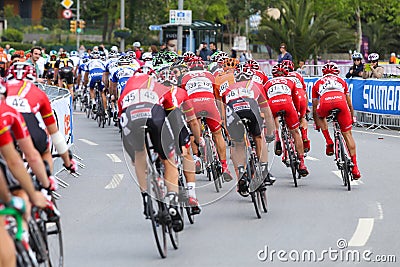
(28, 99)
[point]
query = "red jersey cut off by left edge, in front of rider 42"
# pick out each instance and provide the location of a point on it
(11, 120)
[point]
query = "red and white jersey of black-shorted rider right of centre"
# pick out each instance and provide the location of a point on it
(246, 89)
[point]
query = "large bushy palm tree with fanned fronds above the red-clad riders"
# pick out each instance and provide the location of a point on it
(305, 32)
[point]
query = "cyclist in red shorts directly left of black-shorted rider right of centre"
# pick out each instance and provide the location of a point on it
(199, 85)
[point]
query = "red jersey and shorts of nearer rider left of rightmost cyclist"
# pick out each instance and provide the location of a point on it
(281, 95)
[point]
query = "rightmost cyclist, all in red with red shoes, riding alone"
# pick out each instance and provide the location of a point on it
(330, 92)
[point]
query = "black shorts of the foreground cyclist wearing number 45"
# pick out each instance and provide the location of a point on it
(133, 133)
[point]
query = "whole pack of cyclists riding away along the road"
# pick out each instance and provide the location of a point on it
(167, 95)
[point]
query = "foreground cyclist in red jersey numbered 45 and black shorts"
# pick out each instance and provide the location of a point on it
(140, 104)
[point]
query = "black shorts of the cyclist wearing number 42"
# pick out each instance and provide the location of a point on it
(39, 137)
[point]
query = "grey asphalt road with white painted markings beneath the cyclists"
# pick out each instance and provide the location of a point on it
(319, 222)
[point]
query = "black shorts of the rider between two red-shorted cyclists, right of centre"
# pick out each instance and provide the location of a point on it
(239, 109)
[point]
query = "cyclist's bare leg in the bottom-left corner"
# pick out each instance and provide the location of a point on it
(7, 248)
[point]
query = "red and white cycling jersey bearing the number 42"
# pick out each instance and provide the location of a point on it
(26, 97)
